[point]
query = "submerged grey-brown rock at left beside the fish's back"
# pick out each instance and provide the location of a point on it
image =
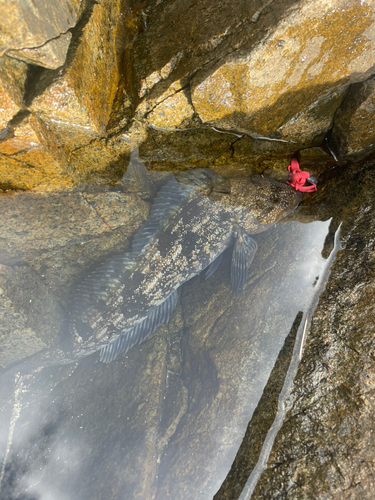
(46, 242)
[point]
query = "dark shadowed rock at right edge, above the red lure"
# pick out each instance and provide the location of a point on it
(353, 134)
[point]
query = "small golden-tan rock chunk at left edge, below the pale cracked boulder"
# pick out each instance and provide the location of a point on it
(12, 87)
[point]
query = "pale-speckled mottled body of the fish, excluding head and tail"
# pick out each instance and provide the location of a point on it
(122, 293)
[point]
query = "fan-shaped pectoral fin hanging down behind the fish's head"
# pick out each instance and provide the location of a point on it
(243, 255)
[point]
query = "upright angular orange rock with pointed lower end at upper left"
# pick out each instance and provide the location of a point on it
(77, 105)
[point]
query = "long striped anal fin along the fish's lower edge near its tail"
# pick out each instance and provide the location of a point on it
(141, 331)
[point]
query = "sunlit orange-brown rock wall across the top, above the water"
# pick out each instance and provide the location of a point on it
(192, 85)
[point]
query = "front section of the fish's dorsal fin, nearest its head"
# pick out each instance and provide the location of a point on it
(169, 198)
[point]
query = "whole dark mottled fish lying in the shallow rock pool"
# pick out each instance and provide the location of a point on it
(193, 218)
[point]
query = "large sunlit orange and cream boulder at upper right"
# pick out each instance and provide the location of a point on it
(290, 85)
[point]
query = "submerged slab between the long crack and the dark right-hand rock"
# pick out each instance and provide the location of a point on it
(228, 351)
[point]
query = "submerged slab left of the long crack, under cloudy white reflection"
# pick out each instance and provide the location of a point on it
(70, 401)
